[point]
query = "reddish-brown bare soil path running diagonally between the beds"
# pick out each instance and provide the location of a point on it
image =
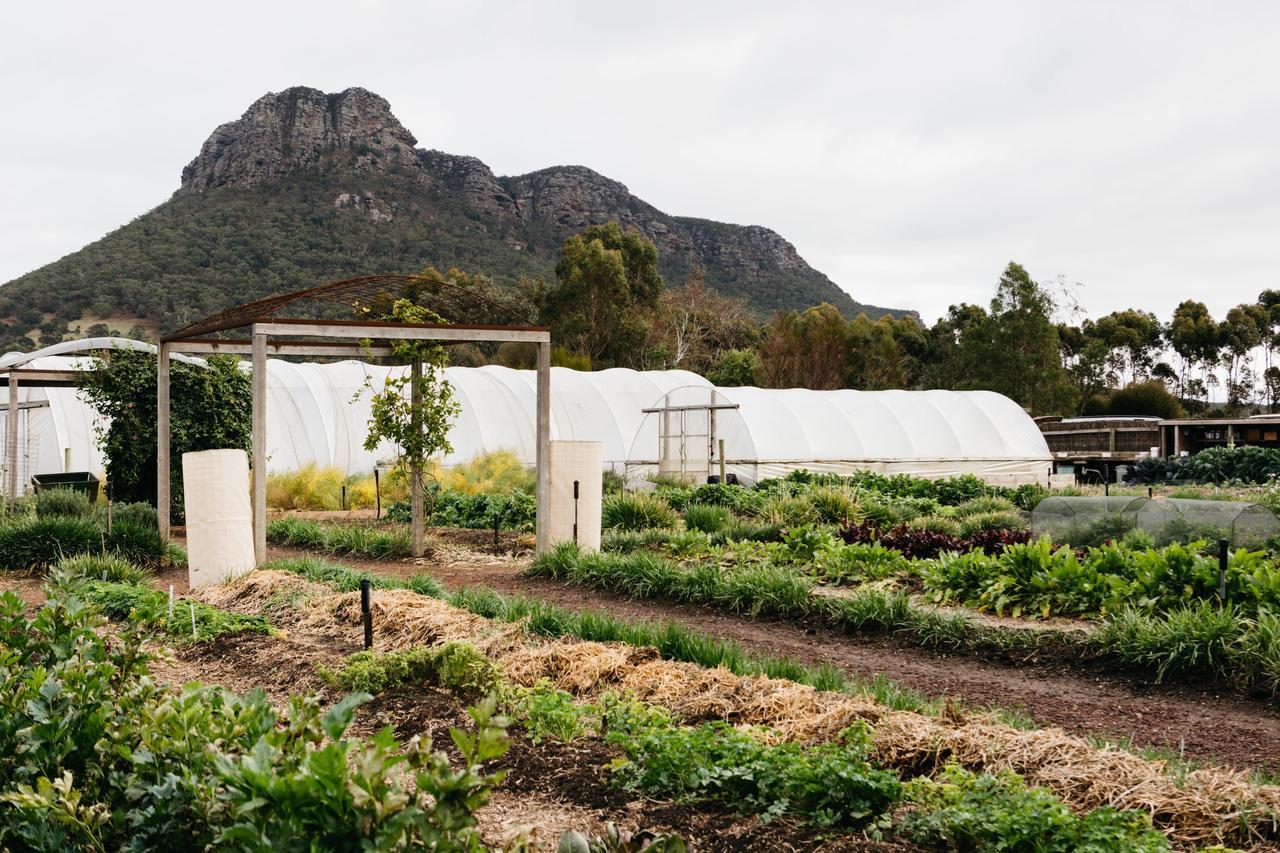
(1200, 724)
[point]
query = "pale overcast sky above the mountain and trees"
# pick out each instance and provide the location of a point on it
(909, 150)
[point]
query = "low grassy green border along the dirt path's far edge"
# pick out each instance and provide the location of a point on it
(1203, 641)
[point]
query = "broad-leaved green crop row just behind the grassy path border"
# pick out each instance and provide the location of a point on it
(1014, 578)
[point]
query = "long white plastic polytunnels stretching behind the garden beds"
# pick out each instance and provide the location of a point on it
(671, 422)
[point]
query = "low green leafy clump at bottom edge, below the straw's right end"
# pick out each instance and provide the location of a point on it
(966, 811)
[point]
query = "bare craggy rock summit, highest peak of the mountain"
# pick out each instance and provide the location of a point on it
(300, 127)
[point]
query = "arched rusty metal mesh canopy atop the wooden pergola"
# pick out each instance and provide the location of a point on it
(454, 303)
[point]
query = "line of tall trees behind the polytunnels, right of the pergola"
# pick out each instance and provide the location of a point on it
(611, 308)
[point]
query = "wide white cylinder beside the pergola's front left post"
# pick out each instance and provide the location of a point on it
(220, 516)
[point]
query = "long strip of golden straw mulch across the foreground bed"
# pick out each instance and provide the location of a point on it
(1200, 808)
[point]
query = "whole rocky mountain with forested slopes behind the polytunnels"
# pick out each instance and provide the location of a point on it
(309, 188)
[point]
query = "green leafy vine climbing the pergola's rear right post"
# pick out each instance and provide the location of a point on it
(418, 423)
